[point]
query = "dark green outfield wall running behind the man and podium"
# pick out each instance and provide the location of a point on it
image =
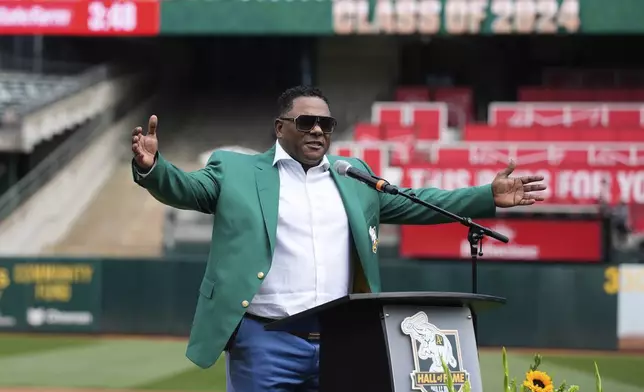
(549, 305)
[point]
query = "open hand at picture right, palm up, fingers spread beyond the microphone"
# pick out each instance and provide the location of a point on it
(510, 192)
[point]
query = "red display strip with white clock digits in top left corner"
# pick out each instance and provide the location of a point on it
(65, 17)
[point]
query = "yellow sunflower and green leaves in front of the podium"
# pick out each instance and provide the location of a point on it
(535, 380)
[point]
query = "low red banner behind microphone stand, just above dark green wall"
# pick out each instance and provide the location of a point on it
(537, 240)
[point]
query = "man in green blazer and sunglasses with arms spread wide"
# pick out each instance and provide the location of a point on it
(290, 234)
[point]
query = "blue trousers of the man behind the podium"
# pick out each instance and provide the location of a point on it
(271, 361)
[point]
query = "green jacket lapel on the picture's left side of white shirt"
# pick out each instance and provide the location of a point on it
(267, 181)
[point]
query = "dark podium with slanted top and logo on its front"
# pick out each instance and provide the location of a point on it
(393, 342)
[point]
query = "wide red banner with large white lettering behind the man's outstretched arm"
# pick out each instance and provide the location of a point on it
(574, 174)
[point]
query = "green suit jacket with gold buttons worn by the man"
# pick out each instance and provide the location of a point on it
(242, 191)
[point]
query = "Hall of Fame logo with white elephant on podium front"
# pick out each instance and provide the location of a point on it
(428, 345)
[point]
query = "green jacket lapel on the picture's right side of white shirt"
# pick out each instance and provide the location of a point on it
(357, 222)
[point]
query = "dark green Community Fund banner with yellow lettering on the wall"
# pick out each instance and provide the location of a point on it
(50, 296)
